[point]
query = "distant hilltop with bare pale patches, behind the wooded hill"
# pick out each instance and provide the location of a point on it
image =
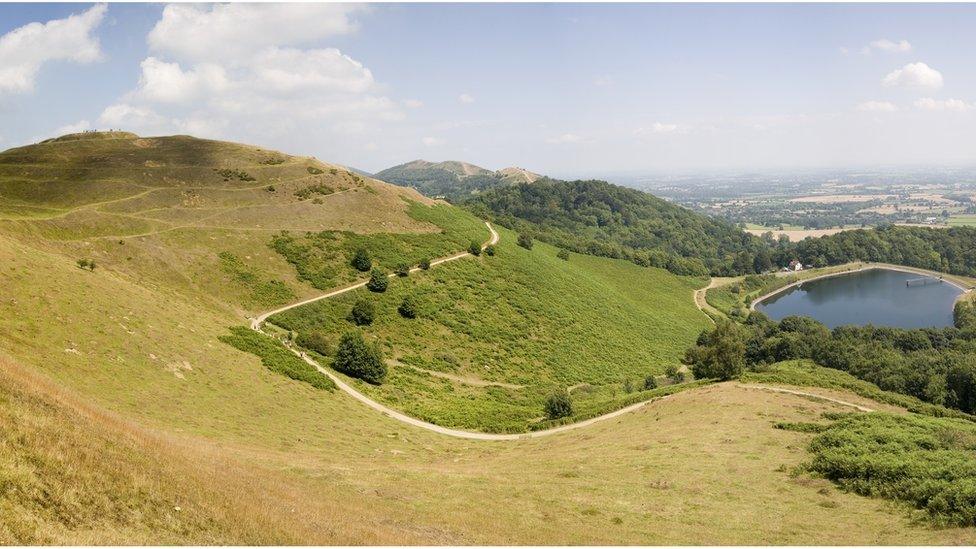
(454, 180)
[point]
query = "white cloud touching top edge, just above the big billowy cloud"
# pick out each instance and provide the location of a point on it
(235, 32)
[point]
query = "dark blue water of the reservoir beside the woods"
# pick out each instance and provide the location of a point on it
(882, 297)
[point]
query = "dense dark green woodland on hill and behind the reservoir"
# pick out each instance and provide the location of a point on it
(599, 218)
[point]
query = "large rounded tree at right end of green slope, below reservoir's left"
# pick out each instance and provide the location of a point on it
(720, 353)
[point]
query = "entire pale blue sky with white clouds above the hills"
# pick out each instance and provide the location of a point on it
(562, 89)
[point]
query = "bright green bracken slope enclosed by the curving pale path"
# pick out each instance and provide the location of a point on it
(496, 334)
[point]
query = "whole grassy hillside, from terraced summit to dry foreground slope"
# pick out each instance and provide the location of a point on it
(135, 421)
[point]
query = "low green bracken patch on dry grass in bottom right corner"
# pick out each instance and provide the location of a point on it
(928, 463)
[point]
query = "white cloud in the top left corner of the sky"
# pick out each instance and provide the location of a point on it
(24, 50)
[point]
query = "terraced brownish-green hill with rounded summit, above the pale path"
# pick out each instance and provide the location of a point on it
(199, 216)
